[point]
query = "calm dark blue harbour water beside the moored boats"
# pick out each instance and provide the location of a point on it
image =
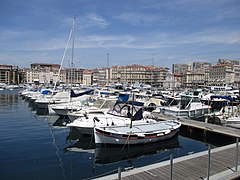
(33, 147)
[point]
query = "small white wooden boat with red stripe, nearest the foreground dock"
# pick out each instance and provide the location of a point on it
(137, 134)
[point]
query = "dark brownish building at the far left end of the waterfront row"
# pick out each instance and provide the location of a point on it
(9, 74)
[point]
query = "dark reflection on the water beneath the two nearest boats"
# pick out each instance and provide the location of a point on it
(116, 153)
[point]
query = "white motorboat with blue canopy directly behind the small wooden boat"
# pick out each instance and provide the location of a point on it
(119, 115)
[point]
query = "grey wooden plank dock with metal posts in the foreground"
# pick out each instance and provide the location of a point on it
(195, 166)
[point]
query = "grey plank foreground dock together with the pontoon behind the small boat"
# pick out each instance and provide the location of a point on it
(221, 163)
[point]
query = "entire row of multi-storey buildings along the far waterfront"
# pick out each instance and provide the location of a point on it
(183, 75)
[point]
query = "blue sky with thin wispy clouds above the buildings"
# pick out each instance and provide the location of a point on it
(158, 32)
